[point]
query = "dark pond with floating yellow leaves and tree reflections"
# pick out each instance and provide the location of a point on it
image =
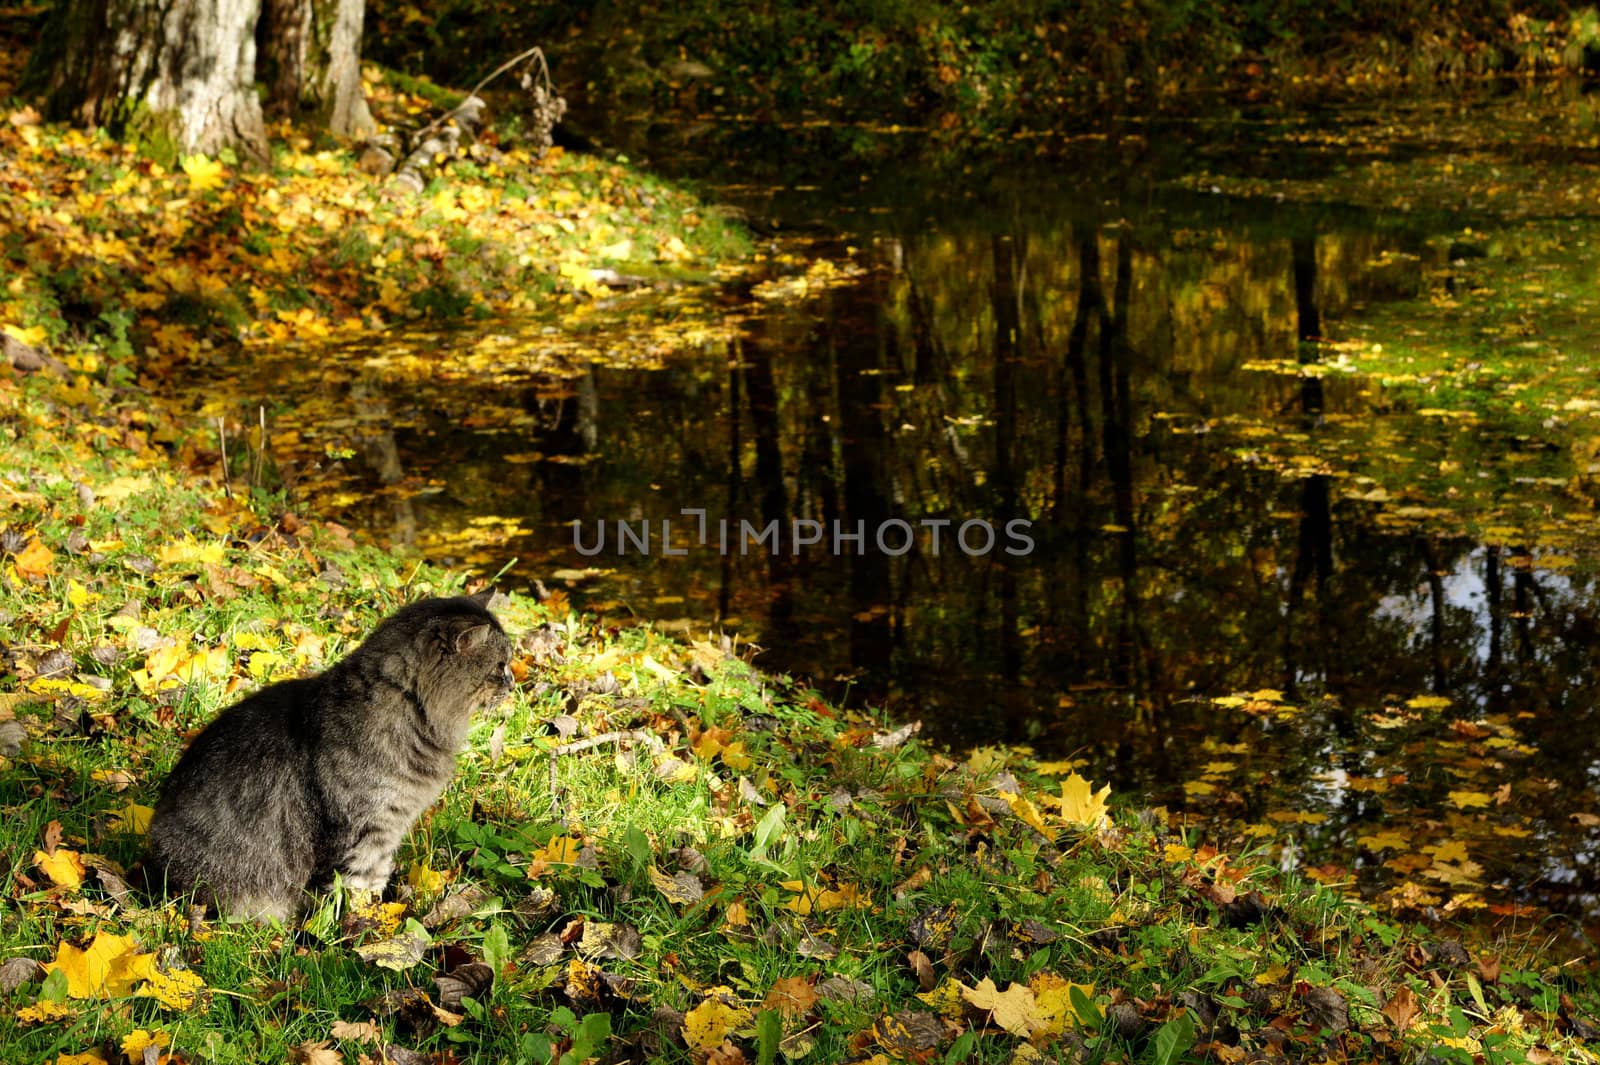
(1246, 461)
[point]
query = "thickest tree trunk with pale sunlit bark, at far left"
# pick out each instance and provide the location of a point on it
(175, 74)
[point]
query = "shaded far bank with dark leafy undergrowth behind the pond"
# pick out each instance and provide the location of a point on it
(980, 66)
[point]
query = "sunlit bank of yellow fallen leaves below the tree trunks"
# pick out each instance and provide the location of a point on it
(142, 268)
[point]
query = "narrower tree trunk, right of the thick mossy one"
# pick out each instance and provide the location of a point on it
(311, 60)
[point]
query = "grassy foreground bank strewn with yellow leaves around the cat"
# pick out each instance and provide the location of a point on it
(732, 871)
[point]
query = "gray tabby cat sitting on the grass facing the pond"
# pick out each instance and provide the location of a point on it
(321, 776)
